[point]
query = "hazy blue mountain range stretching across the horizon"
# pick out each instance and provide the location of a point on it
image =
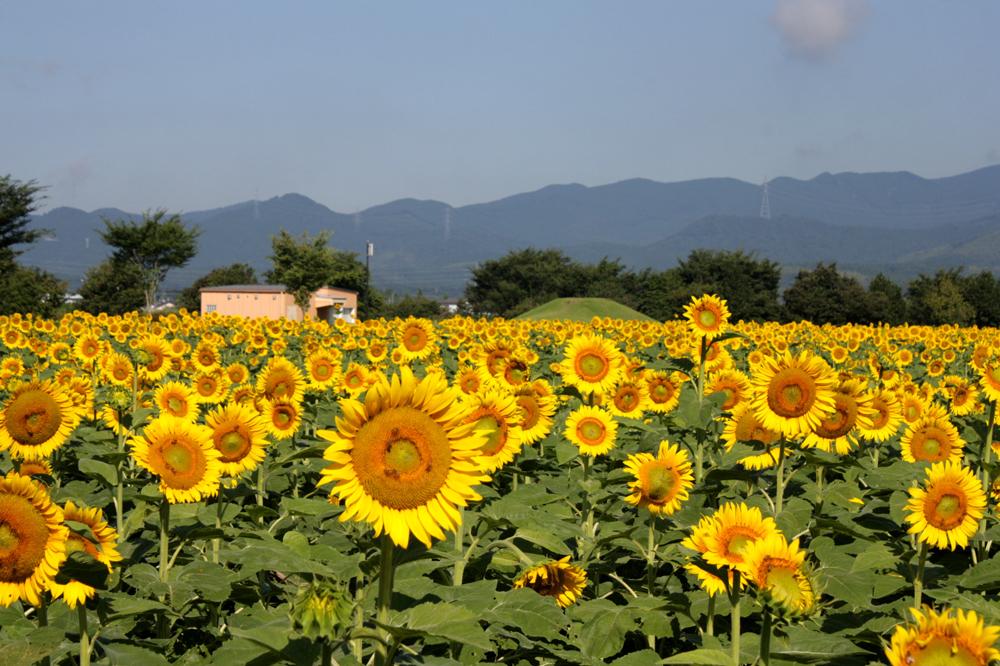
(897, 223)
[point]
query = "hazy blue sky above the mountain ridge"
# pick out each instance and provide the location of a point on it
(196, 105)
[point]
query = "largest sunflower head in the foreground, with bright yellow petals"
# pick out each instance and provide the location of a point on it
(403, 460)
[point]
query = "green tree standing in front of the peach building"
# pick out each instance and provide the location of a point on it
(305, 263)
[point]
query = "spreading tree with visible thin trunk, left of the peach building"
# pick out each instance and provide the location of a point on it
(153, 245)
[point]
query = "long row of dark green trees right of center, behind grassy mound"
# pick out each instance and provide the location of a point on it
(524, 279)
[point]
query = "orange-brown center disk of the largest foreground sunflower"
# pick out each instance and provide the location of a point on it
(402, 458)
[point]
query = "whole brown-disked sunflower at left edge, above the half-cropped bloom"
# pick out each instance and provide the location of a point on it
(37, 419)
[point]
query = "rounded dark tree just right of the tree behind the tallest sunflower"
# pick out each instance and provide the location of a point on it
(824, 296)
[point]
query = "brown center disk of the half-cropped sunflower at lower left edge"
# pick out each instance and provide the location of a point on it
(23, 535)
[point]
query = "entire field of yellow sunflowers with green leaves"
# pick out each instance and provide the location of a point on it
(212, 490)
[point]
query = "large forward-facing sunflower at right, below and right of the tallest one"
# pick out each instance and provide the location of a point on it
(794, 393)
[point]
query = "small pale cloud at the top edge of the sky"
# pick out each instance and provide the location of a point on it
(814, 29)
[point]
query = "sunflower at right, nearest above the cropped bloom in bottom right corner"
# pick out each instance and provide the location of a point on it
(945, 513)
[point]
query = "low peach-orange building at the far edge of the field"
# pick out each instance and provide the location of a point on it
(275, 302)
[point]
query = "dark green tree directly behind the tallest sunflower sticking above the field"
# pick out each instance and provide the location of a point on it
(748, 284)
